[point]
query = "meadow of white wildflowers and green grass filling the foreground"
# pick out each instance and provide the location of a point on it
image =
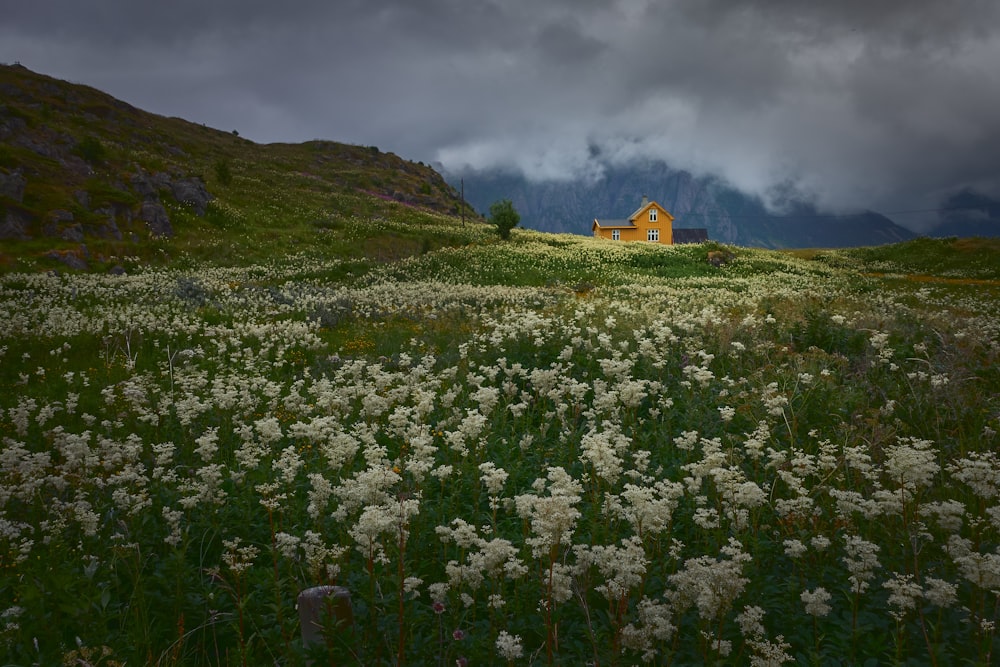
(535, 453)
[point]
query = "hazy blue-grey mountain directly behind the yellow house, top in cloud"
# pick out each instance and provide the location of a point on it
(729, 215)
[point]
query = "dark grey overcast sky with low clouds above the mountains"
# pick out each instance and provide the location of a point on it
(884, 104)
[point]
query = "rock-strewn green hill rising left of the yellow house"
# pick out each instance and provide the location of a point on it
(85, 174)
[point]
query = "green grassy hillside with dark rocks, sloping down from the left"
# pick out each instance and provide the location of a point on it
(81, 158)
